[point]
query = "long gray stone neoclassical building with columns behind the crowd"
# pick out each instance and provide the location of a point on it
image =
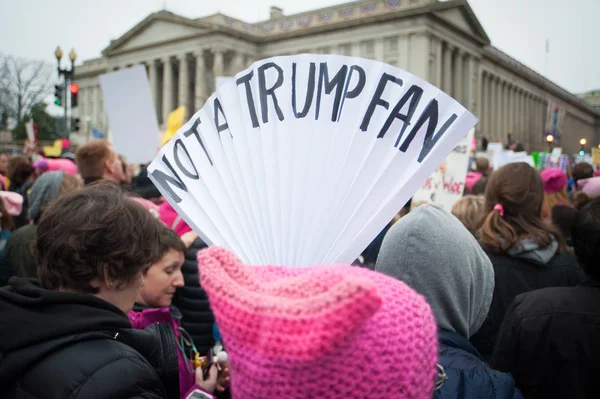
(442, 42)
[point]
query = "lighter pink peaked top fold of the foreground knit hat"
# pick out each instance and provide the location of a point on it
(306, 315)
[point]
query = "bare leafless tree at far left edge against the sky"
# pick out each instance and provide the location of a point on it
(23, 83)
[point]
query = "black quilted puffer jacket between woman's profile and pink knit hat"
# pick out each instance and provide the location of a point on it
(192, 302)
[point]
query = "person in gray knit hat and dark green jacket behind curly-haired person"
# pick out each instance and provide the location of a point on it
(46, 188)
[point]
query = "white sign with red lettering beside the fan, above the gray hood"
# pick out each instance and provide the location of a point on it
(446, 185)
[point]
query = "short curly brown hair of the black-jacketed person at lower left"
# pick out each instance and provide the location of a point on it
(95, 232)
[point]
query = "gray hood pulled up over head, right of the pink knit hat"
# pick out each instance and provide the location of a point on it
(431, 251)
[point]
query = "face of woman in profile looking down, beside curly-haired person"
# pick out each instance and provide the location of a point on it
(162, 279)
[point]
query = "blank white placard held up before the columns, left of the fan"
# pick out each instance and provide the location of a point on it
(128, 102)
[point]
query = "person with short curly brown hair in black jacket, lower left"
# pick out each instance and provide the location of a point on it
(68, 335)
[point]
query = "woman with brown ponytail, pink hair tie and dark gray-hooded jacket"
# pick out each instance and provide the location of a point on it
(526, 252)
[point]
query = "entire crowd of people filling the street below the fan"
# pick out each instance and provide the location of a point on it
(108, 293)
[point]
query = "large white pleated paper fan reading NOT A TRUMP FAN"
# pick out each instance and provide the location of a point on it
(303, 159)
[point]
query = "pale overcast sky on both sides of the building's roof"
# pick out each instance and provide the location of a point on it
(33, 28)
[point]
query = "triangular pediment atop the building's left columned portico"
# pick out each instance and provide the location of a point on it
(156, 29)
